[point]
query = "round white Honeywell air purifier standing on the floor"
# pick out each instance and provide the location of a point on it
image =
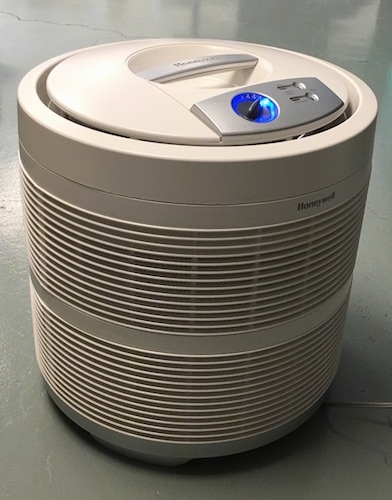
(193, 210)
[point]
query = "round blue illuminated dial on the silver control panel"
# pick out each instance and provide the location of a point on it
(255, 107)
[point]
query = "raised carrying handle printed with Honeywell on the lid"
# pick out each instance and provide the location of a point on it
(198, 65)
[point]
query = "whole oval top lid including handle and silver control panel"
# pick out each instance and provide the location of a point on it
(197, 92)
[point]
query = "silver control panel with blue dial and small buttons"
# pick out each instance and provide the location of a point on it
(270, 111)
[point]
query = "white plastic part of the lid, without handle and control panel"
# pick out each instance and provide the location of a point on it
(100, 86)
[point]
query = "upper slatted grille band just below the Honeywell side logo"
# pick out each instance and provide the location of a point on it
(169, 280)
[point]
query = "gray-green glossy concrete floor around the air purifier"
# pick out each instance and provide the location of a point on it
(339, 453)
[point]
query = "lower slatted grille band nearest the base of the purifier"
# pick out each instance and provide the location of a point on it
(189, 399)
